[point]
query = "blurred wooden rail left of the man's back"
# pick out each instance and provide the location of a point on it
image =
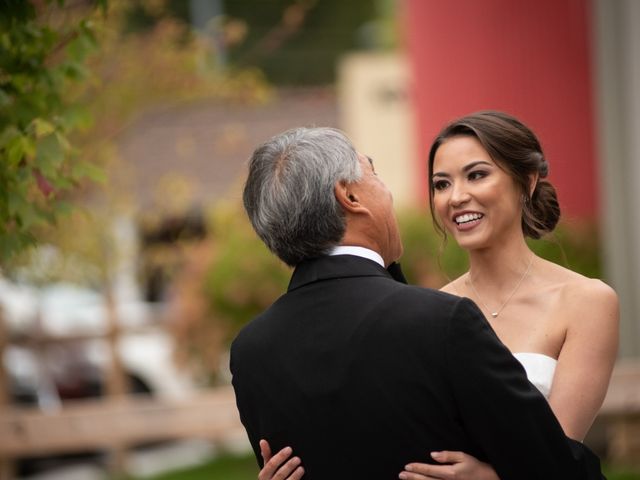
(118, 422)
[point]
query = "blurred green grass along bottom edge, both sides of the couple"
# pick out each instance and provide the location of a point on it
(245, 468)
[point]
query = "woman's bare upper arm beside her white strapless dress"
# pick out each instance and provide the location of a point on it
(587, 356)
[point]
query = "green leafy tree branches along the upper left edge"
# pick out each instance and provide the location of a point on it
(43, 53)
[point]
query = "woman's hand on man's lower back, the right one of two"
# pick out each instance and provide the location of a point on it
(459, 466)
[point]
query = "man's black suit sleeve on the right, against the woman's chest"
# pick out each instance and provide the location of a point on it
(505, 415)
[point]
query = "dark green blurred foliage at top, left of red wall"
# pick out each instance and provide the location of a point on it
(282, 34)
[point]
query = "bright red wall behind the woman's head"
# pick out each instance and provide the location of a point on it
(530, 58)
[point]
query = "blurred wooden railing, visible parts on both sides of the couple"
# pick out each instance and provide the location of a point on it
(120, 422)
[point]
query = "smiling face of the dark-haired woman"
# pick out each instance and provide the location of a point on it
(476, 200)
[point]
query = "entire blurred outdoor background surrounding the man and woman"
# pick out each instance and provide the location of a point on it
(127, 262)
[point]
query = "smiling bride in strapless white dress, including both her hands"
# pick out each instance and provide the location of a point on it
(489, 191)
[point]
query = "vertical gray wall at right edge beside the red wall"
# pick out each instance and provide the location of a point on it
(617, 74)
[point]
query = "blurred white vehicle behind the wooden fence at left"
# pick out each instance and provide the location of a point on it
(73, 354)
